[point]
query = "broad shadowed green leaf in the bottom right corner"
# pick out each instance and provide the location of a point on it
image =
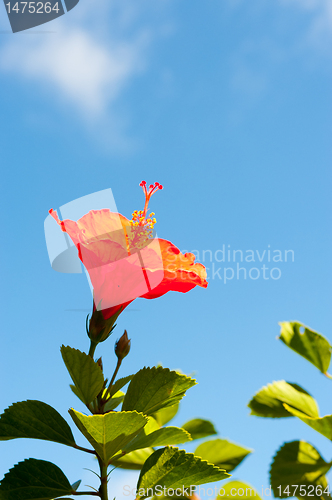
(296, 463)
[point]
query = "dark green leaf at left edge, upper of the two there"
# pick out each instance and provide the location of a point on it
(34, 419)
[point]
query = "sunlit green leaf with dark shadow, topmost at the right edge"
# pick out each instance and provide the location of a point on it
(309, 344)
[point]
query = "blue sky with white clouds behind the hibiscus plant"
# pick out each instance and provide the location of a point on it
(227, 103)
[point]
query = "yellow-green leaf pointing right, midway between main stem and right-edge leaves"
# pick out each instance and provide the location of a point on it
(223, 453)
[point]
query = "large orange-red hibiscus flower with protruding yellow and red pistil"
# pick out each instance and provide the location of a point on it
(125, 261)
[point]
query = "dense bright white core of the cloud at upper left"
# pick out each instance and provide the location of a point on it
(72, 62)
